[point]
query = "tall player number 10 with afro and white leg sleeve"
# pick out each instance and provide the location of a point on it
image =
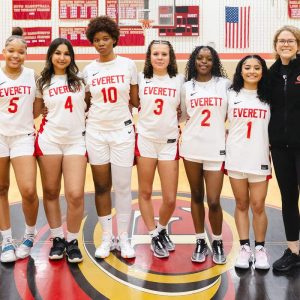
(111, 84)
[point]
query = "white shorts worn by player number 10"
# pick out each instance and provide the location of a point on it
(116, 147)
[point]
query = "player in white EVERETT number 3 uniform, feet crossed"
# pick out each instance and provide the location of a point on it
(157, 140)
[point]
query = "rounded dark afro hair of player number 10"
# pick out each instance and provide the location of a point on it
(104, 24)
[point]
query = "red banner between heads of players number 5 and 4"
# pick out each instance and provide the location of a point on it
(37, 36)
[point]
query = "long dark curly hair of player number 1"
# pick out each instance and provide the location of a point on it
(262, 86)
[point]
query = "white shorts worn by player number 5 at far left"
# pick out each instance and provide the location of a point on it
(17, 145)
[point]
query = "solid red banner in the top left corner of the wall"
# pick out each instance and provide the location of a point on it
(31, 9)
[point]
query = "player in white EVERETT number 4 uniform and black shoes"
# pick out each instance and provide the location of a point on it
(60, 147)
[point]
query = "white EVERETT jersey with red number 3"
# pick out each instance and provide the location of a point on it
(159, 99)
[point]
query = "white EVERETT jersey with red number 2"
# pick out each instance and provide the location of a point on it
(205, 103)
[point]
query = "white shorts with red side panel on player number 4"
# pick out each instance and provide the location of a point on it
(45, 147)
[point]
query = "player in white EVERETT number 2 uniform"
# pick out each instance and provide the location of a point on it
(204, 99)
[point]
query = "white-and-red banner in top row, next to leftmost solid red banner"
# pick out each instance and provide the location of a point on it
(78, 9)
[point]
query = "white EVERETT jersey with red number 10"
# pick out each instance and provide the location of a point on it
(109, 84)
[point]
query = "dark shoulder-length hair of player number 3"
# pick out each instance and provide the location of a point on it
(172, 67)
